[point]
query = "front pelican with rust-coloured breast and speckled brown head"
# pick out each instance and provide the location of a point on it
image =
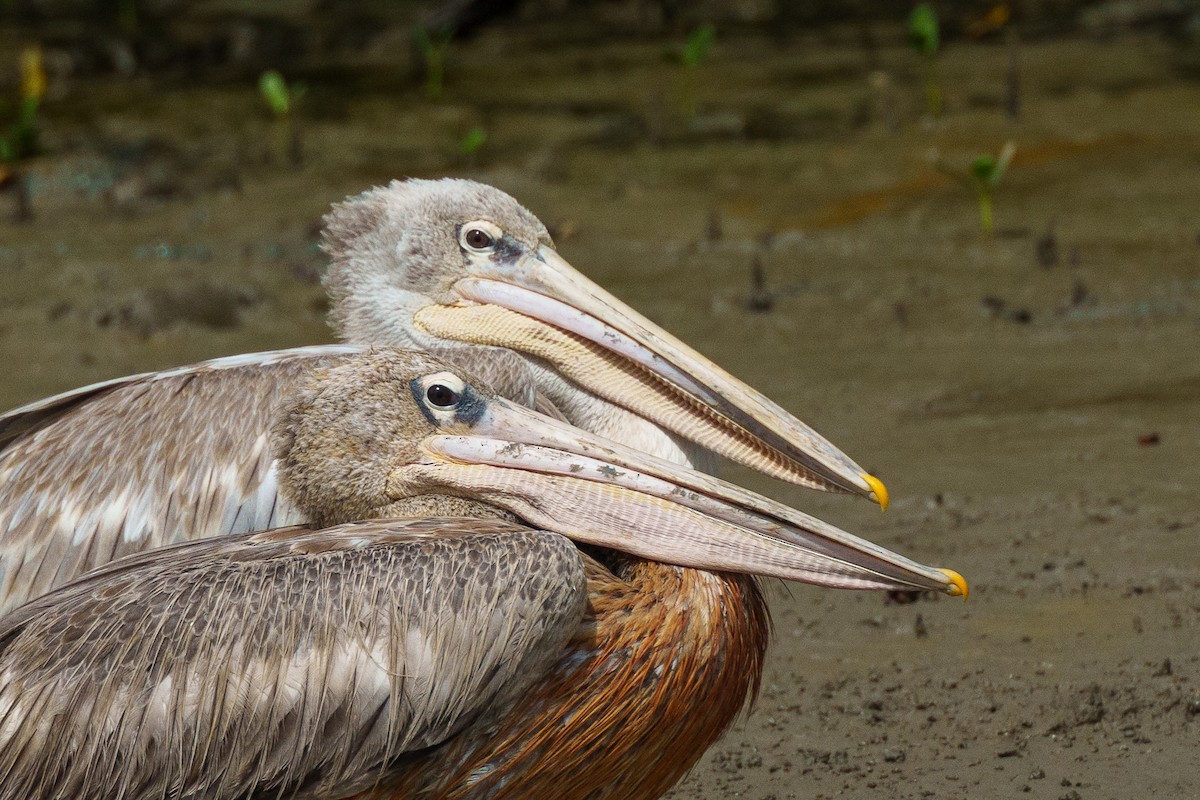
(389, 653)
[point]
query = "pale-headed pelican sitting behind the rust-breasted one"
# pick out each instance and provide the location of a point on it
(449, 267)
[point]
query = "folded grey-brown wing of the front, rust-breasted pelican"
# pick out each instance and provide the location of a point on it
(290, 664)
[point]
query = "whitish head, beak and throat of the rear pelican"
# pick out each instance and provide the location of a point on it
(457, 264)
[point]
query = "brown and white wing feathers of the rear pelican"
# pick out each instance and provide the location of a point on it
(141, 462)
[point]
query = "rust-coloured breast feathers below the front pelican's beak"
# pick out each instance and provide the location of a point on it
(657, 673)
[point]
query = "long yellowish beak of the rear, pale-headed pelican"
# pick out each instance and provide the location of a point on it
(541, 305)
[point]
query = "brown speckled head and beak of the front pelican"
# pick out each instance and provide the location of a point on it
(399, 434)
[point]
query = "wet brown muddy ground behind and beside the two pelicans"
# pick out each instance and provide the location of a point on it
(1033, 400)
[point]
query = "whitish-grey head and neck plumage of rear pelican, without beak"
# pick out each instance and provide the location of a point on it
(394, 250)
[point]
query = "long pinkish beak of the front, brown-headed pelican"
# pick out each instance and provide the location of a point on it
(597, 492)
